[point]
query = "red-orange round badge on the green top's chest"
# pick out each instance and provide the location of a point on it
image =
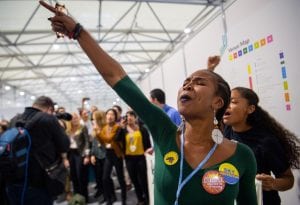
(213, 182)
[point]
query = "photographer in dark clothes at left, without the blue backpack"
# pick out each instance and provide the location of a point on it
(49, 143)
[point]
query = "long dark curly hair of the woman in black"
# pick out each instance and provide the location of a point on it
(263, 119)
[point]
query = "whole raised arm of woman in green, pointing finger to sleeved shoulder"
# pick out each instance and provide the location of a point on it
(112, 72)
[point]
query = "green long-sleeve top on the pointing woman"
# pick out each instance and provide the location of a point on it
(166, 172)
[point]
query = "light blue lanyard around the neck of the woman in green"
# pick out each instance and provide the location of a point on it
(200, 165)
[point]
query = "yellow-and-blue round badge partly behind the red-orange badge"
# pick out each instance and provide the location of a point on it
(230, 173)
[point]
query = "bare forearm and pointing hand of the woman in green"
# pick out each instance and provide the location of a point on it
(110, 69)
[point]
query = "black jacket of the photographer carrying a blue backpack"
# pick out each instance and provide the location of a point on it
(48, 142)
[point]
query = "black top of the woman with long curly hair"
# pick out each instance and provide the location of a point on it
(269, 154)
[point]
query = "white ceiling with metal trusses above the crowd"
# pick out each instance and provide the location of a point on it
(138, 34)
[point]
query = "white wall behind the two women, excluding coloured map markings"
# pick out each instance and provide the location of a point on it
(247, 20)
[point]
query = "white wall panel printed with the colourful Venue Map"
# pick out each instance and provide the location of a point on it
(263, 54)
